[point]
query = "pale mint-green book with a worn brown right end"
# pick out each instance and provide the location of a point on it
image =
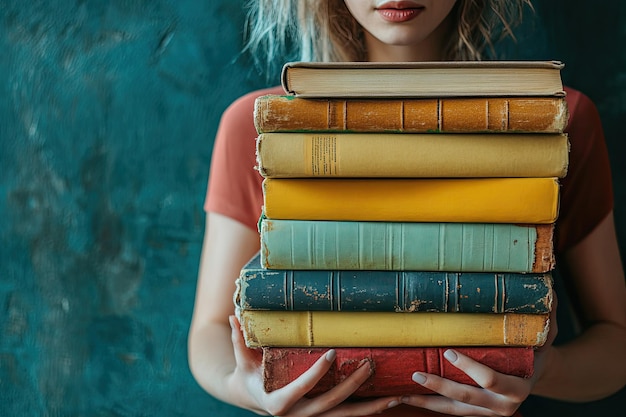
(406, 246)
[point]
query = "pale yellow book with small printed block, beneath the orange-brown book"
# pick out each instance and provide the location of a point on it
(285, 155)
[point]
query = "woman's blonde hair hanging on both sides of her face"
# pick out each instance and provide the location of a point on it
(324, 30)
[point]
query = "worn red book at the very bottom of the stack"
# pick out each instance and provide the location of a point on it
(393, 367)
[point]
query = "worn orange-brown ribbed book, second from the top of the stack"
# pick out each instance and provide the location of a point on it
(275, 113)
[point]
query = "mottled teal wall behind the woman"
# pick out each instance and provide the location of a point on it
(107, 117)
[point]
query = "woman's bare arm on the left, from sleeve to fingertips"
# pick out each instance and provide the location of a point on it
(228, 370)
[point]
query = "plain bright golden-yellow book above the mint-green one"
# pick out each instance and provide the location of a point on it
(469, 200)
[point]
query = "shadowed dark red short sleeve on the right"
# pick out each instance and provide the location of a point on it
(586, 192)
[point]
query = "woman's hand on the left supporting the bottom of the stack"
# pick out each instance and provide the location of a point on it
(247, 378)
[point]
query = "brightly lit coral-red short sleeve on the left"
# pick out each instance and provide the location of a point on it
(234, 186)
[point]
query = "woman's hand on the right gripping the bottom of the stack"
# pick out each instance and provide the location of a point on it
(497, 394)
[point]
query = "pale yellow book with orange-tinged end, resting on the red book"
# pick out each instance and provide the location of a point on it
(383, 329)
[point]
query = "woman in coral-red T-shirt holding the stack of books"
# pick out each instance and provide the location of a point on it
(587, 251)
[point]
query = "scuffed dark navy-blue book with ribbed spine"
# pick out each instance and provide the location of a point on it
(402, 292)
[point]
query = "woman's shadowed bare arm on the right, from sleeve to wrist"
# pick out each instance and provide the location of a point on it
(593, 365)
